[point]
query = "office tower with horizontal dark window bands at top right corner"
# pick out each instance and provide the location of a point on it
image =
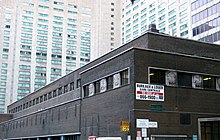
(206, 20)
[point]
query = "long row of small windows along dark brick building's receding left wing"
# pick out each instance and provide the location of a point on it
(45, 97)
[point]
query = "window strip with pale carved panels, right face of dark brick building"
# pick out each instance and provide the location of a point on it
(183, 79)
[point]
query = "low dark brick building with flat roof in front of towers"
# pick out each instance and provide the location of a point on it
(170, 82)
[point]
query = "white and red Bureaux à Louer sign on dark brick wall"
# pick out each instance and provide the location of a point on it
(149, 92)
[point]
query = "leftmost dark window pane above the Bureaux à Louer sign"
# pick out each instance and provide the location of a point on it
(157, 76)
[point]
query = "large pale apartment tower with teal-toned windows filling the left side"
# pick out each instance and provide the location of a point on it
(42, 40)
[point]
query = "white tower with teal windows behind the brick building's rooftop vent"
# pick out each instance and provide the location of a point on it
(170, 16)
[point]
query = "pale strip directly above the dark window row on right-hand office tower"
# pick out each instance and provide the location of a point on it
(206, 13)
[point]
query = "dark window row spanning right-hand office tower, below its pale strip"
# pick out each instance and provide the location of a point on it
(206, 26)
